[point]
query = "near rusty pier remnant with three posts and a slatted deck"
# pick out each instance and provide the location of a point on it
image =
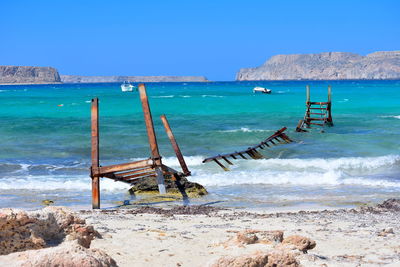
(132, 171)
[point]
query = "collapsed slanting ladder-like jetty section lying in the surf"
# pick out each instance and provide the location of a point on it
(279, 137)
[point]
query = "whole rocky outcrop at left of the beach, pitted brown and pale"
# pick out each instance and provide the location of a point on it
(53, 236)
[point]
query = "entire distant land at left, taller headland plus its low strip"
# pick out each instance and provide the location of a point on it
(49, 75)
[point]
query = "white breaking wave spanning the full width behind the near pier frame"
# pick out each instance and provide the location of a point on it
(360, 171)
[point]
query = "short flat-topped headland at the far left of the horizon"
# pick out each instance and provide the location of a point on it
(28, 75)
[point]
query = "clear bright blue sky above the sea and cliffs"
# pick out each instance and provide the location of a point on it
(210, 38)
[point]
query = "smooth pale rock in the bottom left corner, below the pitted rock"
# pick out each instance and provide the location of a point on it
(68, 254)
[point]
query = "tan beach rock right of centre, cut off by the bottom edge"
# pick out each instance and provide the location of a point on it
(259, 259)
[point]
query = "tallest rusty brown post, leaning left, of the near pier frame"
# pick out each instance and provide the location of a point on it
(152, 138)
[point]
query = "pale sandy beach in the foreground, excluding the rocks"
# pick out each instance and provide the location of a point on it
(199, 236)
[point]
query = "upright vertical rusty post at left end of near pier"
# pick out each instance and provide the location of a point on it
(95, 153)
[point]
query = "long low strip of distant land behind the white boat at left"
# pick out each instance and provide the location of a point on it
(113, 79)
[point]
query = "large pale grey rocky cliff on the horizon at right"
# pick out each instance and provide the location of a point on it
(326, 66)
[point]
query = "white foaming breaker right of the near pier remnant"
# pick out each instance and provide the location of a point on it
(364, 171)
